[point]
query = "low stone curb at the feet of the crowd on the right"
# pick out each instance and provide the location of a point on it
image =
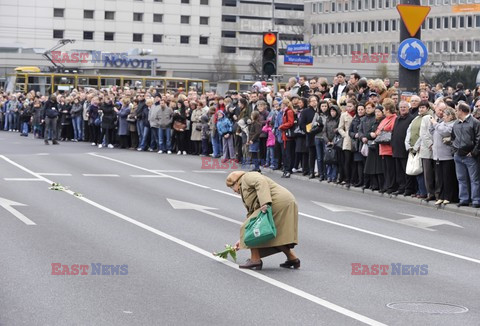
(451, 207)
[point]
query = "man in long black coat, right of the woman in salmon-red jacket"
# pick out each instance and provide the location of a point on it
(406, 183)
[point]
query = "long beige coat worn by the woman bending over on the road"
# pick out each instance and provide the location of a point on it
(257, 190)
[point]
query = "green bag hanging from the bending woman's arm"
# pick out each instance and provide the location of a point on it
(260, 229)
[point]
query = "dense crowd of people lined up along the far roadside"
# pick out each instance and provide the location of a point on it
(355, 132)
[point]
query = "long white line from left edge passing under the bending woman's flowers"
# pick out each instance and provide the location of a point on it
(209, 255)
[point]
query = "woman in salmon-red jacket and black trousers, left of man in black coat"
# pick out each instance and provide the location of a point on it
(385, 151)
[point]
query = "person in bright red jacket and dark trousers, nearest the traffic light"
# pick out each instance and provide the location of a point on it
(288, 149)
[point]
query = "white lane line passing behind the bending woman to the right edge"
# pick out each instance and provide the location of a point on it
(474, 260)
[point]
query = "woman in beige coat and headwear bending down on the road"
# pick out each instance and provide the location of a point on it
(257, 192)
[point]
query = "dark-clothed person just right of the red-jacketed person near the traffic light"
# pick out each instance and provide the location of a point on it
(305, 119)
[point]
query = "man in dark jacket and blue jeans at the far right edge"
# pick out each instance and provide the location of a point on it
(466, 143)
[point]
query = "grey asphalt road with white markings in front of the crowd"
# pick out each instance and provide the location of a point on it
(163, 215)
